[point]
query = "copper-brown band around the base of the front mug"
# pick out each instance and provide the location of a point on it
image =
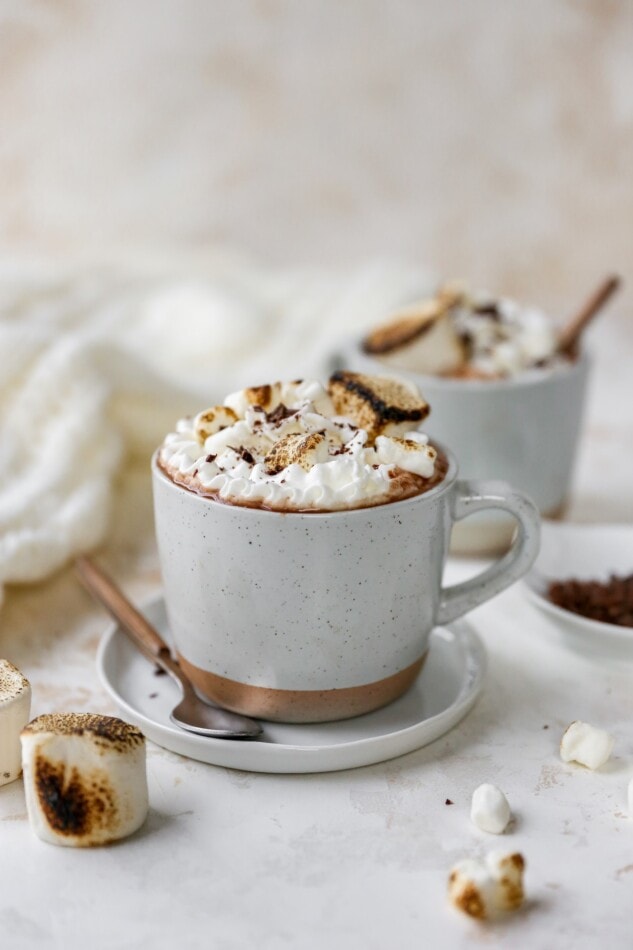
(300, 705)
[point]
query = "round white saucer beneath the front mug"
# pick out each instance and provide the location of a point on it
(444, 692)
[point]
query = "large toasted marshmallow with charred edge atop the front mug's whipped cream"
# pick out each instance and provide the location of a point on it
(378, 404)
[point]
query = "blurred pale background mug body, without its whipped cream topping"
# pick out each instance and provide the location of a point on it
(525, 430)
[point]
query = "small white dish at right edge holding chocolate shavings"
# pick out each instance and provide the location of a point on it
(583, 552)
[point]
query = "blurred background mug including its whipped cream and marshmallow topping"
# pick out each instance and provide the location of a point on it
(502, 398)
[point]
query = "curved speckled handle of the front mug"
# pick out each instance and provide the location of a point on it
(470, 496)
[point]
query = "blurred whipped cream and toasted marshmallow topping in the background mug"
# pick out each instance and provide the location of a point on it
(466, 334)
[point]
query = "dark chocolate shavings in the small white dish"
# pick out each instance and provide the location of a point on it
(608, 602)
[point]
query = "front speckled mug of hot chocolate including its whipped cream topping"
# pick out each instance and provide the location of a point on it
(302, 575)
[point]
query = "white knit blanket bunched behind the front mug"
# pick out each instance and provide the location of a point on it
(97, 364)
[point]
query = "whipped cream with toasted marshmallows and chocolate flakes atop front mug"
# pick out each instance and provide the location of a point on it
(300, 446)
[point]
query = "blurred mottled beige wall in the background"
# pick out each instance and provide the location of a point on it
(491, 138)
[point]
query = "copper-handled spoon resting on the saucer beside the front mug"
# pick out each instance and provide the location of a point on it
(191, 713)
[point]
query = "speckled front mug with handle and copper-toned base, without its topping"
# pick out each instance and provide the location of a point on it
(309, 617)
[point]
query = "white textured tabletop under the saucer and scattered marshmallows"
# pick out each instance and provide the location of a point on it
(355, 859)
